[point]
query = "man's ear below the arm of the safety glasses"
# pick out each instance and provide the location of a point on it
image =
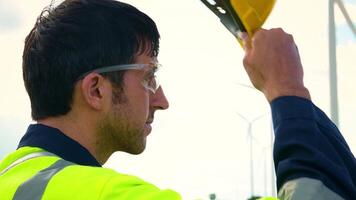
(95, 91)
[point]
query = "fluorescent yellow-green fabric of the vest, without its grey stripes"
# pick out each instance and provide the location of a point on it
(76, 181)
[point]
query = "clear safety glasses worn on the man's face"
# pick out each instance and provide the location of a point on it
(150, 80)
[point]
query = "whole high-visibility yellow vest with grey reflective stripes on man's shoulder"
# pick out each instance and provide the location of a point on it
(34, 174)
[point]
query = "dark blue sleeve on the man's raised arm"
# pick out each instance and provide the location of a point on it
(308, 144)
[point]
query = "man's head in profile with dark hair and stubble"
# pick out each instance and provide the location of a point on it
(79, 36)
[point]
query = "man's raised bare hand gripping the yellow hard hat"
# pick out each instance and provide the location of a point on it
(273, 64)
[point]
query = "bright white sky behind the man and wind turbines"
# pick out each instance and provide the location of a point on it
(199, 146)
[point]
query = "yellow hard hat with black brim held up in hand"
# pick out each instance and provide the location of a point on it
(241, 15)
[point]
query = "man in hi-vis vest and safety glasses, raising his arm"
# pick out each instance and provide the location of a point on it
(89, 69)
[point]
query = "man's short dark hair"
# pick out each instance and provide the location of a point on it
(76, 37)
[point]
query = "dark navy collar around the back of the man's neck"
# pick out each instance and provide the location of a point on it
(54, 141)
